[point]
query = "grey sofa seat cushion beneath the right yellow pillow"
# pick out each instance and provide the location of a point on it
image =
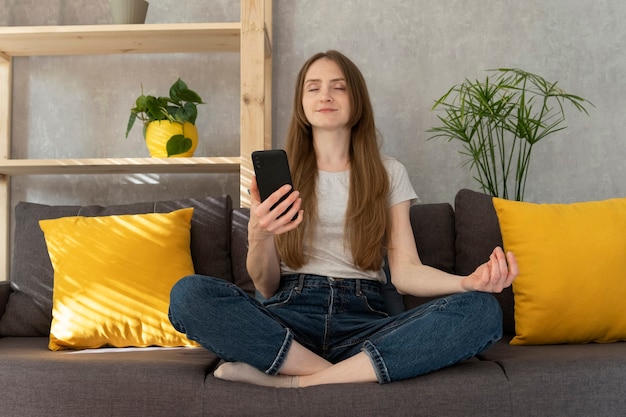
(575, 380)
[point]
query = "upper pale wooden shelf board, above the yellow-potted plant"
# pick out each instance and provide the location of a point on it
(120, 39)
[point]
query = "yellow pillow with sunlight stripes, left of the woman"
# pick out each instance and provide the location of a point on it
(112, 278)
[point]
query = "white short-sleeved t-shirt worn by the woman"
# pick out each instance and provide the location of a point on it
(329, 256)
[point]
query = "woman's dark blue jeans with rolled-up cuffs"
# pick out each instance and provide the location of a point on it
(336, 319)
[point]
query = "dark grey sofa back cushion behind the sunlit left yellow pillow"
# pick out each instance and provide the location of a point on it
(29, 309)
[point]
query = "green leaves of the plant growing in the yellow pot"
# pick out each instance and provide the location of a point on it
(179, 107)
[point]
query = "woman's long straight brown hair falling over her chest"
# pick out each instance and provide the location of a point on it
(366, 215)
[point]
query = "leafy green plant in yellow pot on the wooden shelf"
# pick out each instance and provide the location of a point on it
(169, 122)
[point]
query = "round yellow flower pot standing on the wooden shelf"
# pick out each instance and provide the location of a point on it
(167, 139)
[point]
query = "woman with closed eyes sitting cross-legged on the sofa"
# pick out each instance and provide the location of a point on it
(320, 318)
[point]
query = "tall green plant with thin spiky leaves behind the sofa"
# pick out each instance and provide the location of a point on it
(499, 121)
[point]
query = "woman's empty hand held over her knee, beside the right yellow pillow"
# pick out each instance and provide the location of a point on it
(494, 275)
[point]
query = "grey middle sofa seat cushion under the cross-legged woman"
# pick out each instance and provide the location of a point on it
(470, 388)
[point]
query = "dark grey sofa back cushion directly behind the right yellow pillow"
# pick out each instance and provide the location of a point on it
(477, 234)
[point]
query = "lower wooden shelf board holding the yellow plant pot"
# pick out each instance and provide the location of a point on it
(119, 166)
